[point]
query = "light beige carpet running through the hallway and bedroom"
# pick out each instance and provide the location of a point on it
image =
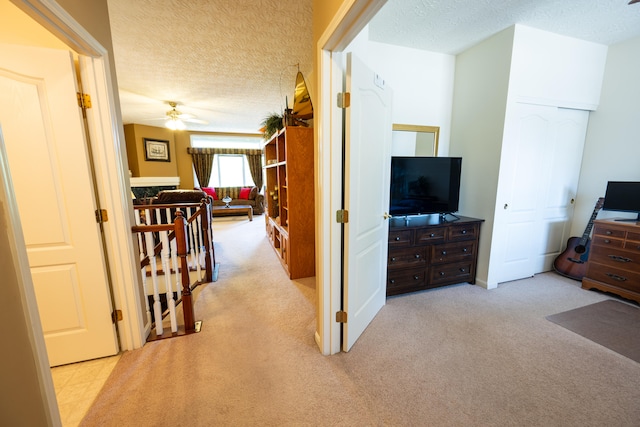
(454, 356)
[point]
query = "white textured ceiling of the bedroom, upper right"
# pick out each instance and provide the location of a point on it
(454, 25)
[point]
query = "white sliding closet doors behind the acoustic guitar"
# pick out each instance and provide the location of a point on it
(540, 166)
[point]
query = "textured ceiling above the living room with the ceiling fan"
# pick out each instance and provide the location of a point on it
(230, 63)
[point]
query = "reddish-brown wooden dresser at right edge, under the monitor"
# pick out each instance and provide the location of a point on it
(614, 259)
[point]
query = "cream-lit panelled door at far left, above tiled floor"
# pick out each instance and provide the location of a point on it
(43, 132)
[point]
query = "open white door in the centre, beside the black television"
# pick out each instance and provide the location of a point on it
(367, 169)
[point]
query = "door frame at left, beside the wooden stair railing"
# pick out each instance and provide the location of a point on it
(107, 138)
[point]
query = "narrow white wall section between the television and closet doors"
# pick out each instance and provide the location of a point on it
(479, 100)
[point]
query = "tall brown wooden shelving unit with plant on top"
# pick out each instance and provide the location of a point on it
(289, 214)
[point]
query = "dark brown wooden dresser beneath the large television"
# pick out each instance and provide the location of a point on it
(425, 252)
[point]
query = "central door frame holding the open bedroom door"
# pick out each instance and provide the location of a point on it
(348, 21)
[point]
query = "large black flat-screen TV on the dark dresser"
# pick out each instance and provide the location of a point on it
(425, 185)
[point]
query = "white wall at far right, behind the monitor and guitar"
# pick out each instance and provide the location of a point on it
(612, 148)
